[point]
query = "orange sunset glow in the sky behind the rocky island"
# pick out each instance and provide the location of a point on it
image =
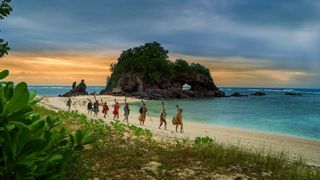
(39, 69)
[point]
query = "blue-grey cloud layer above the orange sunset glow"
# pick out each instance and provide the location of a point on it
(284, 32)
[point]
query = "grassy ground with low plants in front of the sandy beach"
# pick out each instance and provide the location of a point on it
(123, 151)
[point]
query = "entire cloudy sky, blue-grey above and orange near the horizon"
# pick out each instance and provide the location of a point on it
(265, 43)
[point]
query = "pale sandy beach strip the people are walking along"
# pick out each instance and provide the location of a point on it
(256, 141)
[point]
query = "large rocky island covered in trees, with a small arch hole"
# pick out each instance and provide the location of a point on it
(146, 72)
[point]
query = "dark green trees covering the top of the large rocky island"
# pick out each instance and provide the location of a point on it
(152, 60)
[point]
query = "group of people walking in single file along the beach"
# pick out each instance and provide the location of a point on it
(93, 107)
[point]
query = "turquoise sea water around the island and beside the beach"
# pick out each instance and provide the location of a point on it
(275, 113)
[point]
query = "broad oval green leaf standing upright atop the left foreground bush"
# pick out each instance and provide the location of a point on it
(19, 100)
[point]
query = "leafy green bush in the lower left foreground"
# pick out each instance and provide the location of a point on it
(32, 146)
